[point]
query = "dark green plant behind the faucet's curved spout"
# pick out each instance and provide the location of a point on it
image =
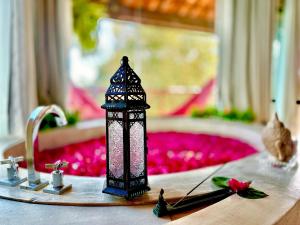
(49, 120)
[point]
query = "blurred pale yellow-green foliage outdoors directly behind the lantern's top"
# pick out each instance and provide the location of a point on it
(163, 58)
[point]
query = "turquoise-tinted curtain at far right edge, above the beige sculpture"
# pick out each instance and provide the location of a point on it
(287, 64)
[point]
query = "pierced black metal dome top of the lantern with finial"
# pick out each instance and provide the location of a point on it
(125, 90)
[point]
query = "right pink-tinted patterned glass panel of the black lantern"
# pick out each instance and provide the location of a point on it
(136, 149)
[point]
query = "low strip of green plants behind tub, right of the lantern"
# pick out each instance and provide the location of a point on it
(232, 114)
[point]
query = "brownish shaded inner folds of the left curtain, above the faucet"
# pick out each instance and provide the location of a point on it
(53, 39)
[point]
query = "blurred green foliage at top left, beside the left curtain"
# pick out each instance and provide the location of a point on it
(85, 16)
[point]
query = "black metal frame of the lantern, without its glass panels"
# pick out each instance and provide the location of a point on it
(125, 103)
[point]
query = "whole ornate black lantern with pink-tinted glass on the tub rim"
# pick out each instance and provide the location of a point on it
(126, 141)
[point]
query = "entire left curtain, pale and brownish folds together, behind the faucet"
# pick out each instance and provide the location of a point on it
(40, 34)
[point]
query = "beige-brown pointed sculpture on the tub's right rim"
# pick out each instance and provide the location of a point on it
(278, 140)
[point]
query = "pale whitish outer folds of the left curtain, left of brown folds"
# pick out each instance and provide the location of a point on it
(23, 95)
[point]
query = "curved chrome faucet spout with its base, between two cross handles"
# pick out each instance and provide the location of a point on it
(31, 142)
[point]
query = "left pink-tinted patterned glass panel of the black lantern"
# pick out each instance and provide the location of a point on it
(115, 142)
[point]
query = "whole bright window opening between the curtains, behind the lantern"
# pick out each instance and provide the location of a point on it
(175, 60)
